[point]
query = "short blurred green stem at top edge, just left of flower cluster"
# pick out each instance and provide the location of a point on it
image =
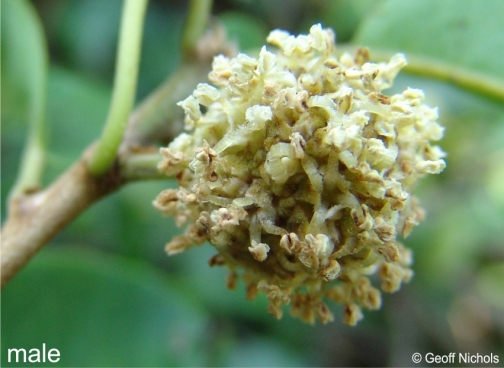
(196, 22)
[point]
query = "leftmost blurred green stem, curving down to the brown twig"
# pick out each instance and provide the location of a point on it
(19, 42)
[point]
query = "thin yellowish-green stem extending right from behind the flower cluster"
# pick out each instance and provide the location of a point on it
(464, 78)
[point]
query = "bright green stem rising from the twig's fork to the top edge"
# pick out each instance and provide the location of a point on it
(125, 82)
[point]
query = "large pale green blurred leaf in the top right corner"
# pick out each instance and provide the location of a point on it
(467, 33)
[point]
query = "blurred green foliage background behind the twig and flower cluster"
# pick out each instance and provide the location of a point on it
(104, 292)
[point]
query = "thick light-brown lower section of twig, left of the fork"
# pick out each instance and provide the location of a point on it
(34, 219)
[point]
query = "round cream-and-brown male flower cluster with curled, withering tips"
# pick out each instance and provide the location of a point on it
(300, 172)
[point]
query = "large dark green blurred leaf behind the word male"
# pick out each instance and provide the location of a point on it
(99, 310)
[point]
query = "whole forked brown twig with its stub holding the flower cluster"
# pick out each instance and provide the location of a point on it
(34, 219)
